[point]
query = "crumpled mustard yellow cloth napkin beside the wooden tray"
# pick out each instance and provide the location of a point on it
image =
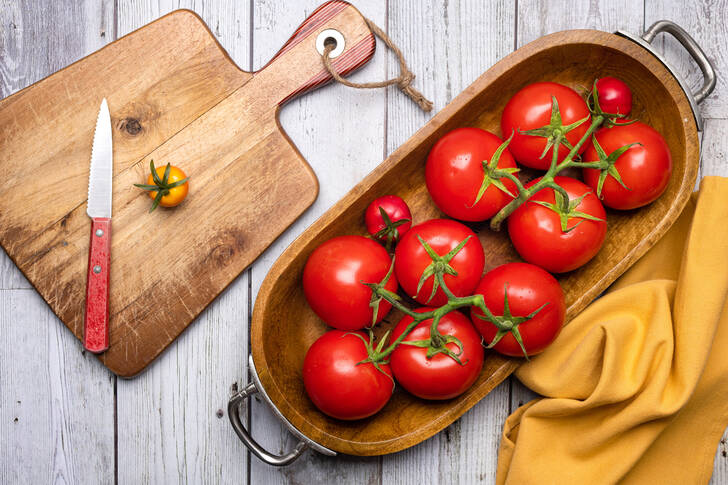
(636, 386)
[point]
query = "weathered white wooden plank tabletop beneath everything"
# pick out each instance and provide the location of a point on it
(64, 418)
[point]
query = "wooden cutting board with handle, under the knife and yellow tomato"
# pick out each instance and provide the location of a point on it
(175, 96)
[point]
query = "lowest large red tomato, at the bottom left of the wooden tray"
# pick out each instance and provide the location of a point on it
(337, 384)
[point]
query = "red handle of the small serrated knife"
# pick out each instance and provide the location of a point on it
(96, 322)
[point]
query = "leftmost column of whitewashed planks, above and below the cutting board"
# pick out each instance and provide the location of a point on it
(56, 404)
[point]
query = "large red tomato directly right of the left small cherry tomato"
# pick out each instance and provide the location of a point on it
(442, 235)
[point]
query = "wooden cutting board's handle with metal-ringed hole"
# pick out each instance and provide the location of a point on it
(298, 67)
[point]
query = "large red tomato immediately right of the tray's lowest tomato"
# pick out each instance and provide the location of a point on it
(440, 377)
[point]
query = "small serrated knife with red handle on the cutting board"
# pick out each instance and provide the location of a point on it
(98, 208)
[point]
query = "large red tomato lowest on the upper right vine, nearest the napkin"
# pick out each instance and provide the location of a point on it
(537, 234)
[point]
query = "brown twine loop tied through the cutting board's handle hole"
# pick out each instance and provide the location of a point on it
(403, 81)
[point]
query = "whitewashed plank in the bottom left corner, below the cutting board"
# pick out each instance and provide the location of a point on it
(56, 404)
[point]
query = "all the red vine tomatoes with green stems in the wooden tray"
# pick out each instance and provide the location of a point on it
(556, 223)
